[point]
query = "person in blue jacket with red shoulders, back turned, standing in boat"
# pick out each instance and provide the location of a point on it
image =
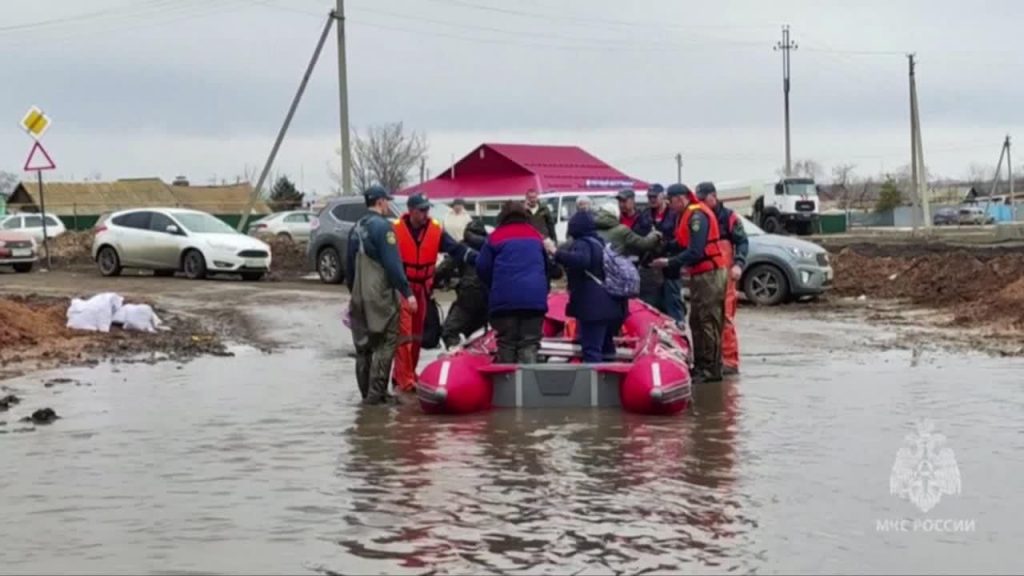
(514, 266)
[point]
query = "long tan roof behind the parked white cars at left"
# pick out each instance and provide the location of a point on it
(100, 198)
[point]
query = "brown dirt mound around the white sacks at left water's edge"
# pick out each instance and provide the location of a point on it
(33, 331)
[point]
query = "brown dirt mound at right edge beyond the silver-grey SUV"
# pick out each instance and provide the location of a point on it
(982, 285)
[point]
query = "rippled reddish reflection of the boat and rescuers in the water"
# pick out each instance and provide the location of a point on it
(544, 491)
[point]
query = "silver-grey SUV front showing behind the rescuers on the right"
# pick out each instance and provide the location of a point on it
(783, 268)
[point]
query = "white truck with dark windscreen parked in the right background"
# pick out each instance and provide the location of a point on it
(788, 205)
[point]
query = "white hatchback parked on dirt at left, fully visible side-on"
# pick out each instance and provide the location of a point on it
(170, 240)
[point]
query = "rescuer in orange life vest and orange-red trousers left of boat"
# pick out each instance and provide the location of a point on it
(421, 239)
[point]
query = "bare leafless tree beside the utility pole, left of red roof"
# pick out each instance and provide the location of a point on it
(387, 155)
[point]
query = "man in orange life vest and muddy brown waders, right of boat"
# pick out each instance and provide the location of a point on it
(698, 237)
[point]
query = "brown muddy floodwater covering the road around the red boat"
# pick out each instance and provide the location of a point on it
(268, 464)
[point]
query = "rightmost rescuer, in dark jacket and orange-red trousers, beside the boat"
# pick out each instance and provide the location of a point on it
(735, 248)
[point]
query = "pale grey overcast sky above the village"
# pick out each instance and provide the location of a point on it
(200, 88)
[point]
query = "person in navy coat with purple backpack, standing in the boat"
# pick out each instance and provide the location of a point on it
(599, 315)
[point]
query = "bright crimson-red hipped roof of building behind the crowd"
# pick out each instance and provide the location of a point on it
(509, 171)
